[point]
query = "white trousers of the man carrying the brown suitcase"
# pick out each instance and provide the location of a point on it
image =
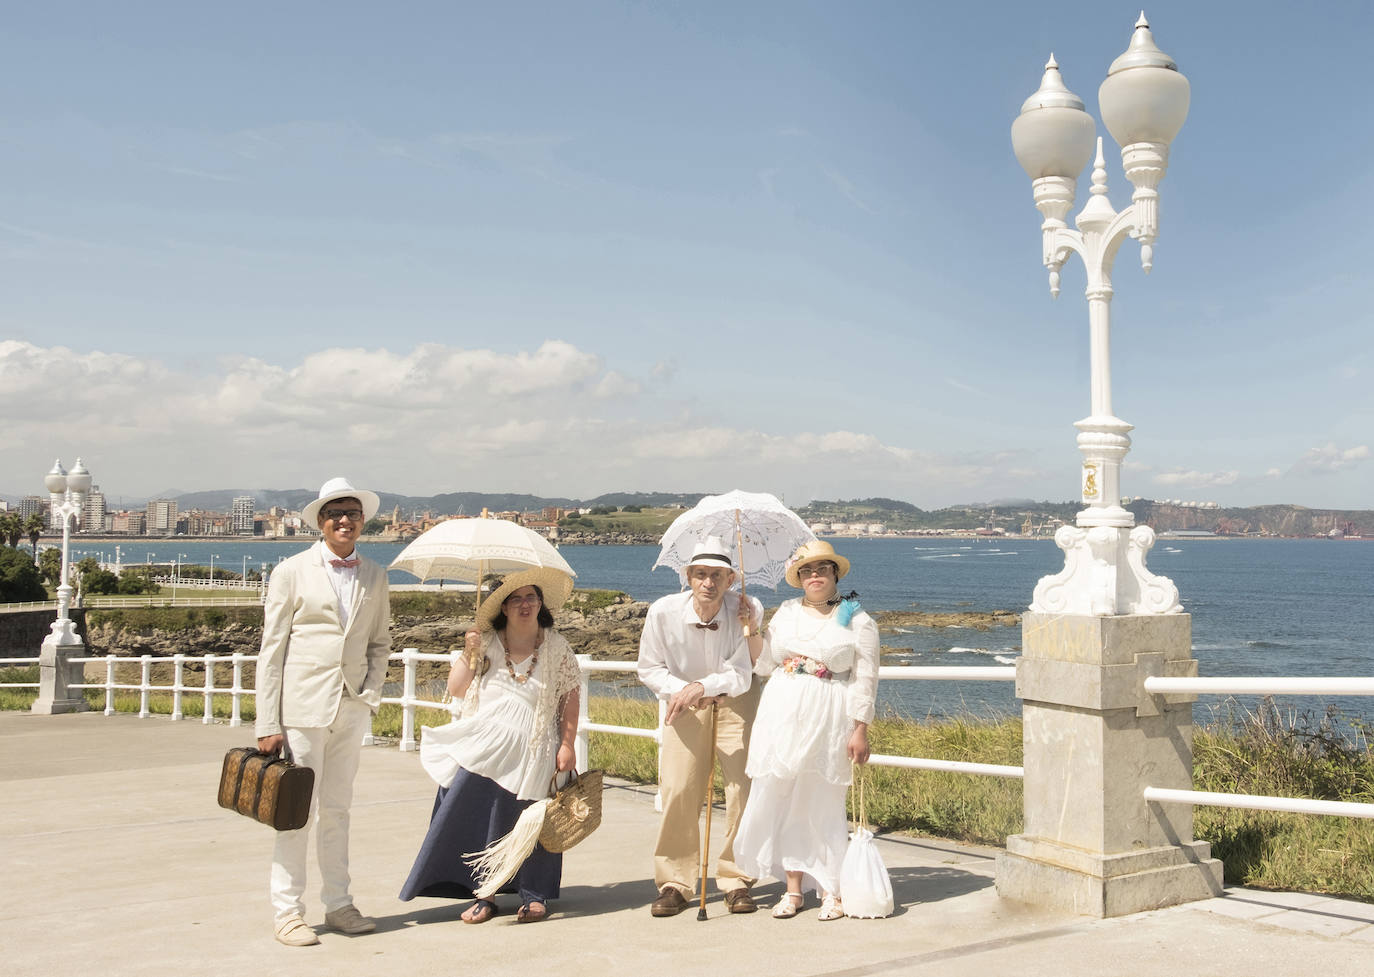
(333, 754)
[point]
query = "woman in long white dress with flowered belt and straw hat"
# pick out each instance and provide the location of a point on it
(822, 655)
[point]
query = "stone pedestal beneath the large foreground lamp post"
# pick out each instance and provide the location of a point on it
(1094, 741)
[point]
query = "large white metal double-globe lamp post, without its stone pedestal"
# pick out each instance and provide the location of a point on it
(1144, 102)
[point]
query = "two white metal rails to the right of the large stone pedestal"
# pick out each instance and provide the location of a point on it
(1261, 686)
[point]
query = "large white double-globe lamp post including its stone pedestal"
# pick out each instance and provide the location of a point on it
(1093, 739)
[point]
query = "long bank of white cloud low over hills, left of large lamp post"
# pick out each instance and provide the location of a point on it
(554, 420)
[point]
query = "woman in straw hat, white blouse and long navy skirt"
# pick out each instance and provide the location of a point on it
(520, 688)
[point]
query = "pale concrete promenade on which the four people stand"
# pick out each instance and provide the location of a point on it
(117, 861)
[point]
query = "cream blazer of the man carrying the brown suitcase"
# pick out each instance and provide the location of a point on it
(308, 660)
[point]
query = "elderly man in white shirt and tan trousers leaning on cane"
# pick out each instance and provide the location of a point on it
(695, 655)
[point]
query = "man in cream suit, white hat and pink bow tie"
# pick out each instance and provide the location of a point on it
(326, 637)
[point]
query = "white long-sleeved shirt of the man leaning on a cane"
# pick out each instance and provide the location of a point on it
(674, 652)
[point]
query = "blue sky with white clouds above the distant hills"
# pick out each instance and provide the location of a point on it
(575, 248)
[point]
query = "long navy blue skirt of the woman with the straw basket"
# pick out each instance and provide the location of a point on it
(469, 816)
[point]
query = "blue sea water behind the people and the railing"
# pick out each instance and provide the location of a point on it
(1261, 608)
